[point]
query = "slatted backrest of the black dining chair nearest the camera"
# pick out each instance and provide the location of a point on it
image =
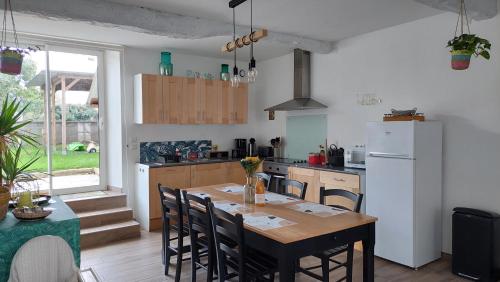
(230, 251)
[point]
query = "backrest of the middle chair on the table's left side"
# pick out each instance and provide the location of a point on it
(199, 221)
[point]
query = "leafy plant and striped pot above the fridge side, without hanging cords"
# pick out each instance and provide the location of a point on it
(464, 46)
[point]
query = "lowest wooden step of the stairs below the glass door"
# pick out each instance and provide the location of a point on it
(95, 236)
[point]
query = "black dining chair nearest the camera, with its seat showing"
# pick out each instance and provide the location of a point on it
(246, 263)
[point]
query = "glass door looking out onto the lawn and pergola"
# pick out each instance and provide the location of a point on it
(61, 89)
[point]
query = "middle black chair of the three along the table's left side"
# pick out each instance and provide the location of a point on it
(200, 233)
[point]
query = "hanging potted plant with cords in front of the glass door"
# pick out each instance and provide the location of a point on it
(11, 58)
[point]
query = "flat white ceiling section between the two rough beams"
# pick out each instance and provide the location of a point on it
(329, 20)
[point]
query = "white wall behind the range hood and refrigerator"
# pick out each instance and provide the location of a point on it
(408, 66)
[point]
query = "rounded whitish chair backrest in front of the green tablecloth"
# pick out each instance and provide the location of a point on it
(44, 258)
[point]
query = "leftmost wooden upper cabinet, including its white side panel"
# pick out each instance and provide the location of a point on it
(148, 98)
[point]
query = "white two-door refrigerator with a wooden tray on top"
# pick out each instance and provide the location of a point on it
(404, 190)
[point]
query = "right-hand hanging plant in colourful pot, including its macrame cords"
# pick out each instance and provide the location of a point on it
(466, 44)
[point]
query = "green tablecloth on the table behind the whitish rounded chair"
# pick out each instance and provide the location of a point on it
(62, 222)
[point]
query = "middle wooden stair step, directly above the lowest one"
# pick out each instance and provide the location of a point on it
(104, 217)
